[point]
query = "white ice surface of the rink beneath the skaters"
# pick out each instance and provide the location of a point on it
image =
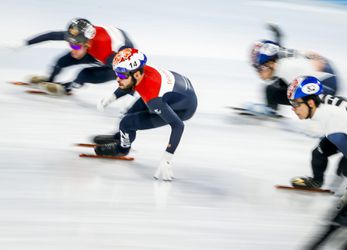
(226, 166)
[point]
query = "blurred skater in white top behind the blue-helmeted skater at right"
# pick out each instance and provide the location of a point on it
(278, 66)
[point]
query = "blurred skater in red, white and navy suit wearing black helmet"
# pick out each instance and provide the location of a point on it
(90, 44)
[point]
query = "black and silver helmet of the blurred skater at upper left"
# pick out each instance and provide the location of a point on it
(80, 30)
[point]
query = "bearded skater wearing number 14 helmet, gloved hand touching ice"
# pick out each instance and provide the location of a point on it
(167, 98)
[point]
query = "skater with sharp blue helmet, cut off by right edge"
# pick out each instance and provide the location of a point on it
(330, 112)
